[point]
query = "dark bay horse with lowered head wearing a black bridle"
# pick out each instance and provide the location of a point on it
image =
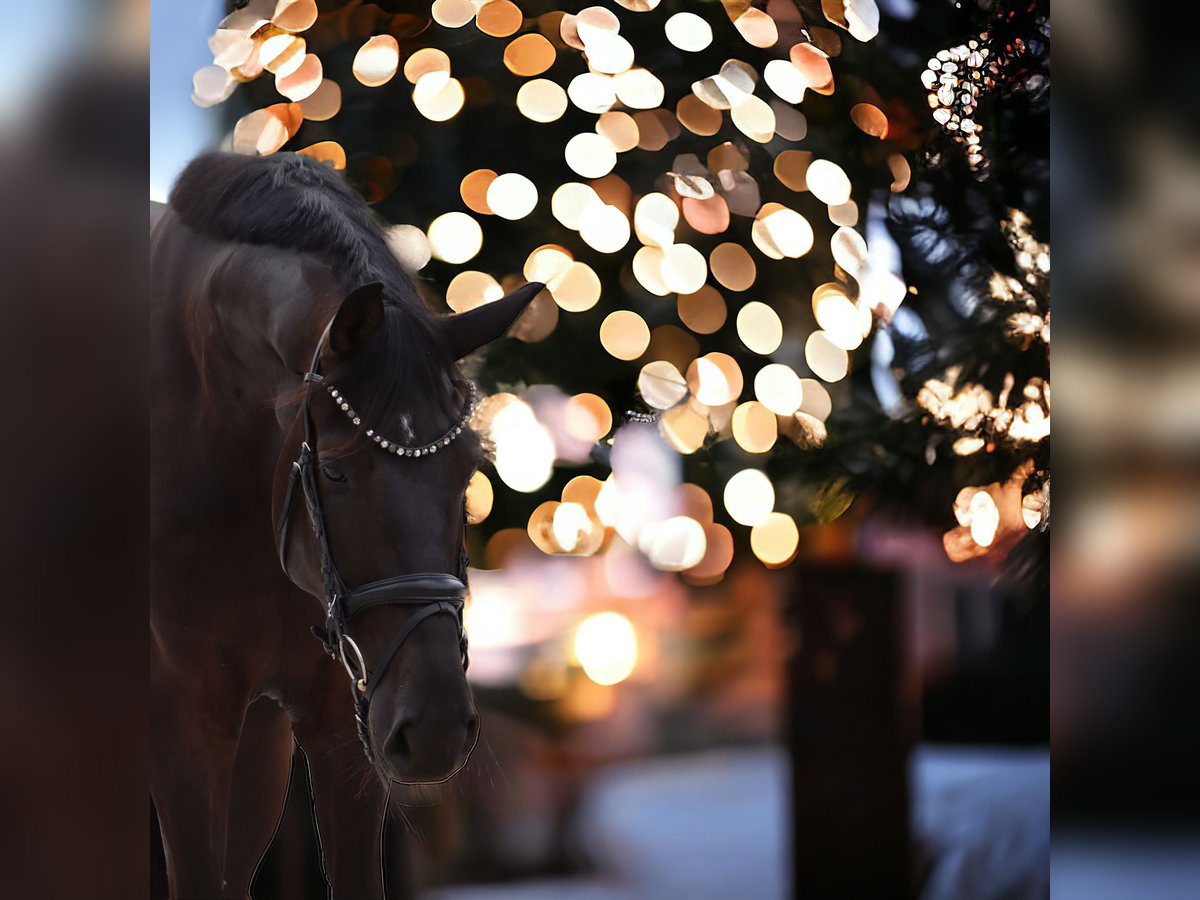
(278, 305)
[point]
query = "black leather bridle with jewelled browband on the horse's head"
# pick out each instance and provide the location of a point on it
(429, 593)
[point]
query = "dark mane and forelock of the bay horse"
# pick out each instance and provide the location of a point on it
(298, 203)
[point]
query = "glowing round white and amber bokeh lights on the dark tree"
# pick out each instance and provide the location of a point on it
(677, 239)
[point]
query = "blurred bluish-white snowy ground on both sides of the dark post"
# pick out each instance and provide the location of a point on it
(713, 826)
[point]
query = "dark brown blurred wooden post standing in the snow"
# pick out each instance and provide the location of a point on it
(850, 734)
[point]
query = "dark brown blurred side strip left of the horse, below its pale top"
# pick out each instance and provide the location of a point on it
(74, 637)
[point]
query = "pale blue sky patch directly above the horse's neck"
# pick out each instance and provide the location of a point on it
(179, 130)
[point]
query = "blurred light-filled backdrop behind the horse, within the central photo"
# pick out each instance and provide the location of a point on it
(742, 622)
